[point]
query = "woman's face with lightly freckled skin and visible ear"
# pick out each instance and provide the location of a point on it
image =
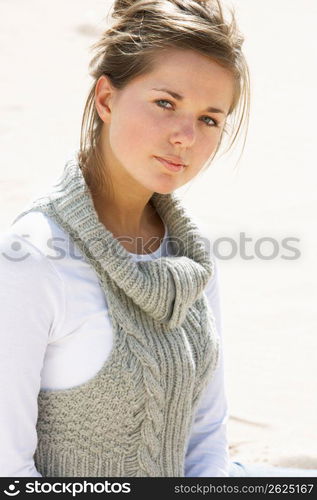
(144, 121)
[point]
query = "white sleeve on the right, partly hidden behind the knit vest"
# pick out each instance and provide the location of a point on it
(208, 451)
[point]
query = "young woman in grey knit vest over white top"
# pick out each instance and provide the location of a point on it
(111, 332)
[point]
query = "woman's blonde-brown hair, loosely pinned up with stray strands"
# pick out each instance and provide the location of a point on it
(141, 28)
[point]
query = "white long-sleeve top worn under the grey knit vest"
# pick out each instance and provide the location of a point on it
(56, 334)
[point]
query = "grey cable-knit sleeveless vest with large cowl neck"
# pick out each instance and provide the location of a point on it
(134, 417)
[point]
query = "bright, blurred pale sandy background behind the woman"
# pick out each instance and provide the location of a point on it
(250, 209)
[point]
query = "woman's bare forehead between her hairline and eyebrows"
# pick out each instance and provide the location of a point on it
(191, 74)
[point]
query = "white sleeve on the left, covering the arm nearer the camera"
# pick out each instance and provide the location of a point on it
(31, 301)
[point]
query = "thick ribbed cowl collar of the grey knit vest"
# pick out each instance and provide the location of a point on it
(164, 288)
